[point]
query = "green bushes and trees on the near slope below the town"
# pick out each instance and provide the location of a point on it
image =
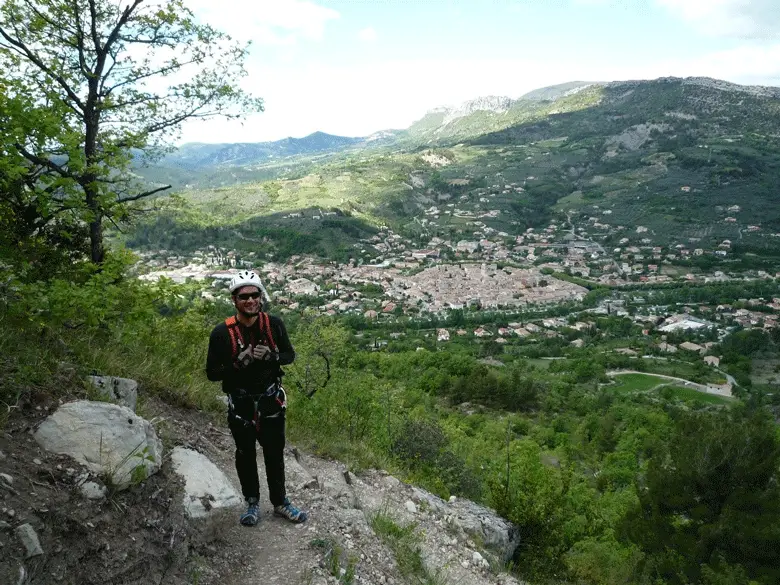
(599, 478)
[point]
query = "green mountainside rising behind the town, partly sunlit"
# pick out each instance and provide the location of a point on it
(672, 156)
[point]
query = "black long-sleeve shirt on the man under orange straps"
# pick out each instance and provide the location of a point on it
(257, 376)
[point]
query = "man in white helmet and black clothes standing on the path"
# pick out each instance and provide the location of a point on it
(245, 353)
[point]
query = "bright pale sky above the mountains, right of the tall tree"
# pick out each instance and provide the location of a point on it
(354, 67)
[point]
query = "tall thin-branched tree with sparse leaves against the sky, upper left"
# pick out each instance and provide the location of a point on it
(118, 78)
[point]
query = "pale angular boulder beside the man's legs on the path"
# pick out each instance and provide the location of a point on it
(206, 488)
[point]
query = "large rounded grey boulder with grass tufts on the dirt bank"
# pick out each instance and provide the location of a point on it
(110, 440)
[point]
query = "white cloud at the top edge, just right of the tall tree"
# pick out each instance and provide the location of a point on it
(271, 22)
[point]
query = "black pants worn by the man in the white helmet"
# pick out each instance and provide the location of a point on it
(270, 435)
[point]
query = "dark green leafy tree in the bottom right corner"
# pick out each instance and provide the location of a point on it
(711, 500)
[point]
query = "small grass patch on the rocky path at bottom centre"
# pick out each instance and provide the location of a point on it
(404, 541)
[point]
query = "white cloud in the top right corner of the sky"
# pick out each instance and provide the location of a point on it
(755, 19)
